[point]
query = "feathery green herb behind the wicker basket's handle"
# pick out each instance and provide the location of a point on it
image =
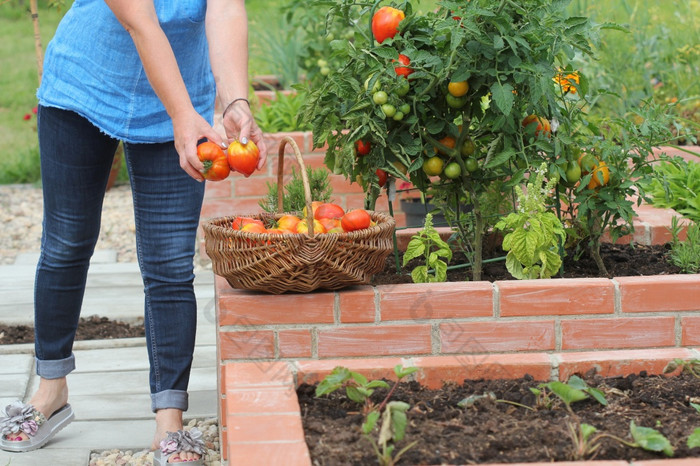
(293, 199)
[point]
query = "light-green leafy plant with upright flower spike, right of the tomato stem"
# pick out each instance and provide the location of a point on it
(534, 234)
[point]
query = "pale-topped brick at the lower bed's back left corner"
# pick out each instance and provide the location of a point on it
(257, 374)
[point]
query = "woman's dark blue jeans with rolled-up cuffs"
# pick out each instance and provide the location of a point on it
(76, 158)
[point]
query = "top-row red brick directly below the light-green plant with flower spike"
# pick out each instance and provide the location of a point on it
(568, 296)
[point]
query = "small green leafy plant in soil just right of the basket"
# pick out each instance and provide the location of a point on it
(428, 244)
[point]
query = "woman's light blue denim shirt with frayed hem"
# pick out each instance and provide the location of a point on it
(92, 67)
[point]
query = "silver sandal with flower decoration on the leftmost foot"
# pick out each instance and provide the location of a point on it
(22, 417)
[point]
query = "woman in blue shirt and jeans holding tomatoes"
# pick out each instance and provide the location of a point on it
(145, 72)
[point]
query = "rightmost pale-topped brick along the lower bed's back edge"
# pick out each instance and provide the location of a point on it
(618, 363)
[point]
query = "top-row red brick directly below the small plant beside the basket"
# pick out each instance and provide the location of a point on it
(436, 301)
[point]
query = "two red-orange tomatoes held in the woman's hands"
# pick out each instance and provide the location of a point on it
(218, 163)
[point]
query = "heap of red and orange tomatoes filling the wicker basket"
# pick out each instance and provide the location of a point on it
(327, 218)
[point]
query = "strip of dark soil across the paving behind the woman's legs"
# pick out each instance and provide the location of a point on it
(91, 328)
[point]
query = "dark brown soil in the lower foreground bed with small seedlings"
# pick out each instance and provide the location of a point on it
(494, 431)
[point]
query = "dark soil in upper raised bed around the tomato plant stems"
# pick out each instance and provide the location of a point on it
(620, 260)
